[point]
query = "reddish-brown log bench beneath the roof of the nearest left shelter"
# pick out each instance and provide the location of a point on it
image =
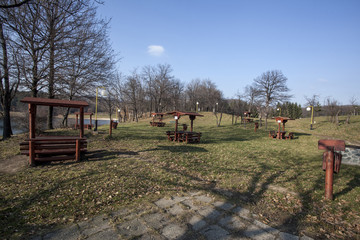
(54, 148)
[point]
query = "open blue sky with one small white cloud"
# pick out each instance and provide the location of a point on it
(315, 43)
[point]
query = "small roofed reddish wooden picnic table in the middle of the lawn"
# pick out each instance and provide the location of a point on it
(183, 135)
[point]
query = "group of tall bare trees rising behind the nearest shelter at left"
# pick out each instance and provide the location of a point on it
(58, 47)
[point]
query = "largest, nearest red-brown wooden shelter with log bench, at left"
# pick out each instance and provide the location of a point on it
(52, 148)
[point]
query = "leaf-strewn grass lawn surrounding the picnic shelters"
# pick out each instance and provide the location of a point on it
(279, 180)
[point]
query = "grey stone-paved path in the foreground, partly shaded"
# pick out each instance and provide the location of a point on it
(194, 215)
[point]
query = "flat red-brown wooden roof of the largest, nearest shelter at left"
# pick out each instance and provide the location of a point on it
(54, 102)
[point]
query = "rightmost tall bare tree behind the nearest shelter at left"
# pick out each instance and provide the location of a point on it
(87, 60)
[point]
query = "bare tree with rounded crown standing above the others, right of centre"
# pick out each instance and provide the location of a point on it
(272, 88)
